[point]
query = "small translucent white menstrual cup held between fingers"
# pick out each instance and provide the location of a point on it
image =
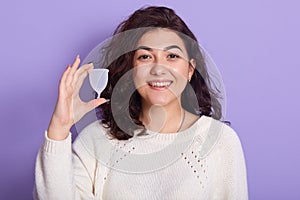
(98, 79)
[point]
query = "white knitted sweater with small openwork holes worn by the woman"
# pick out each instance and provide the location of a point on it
(157, 166)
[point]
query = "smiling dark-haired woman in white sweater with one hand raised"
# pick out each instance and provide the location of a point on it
(158, 138)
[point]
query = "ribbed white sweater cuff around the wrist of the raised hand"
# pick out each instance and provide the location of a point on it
(57, 146)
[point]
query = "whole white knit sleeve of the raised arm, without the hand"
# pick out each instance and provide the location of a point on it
(60, 172)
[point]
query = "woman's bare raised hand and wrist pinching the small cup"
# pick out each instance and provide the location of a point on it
(69, 107)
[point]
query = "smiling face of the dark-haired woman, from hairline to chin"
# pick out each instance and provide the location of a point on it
(161, 67)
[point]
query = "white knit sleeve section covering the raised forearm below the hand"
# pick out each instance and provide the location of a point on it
(53, 170)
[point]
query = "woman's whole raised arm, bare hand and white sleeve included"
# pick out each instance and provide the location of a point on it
(60, 173)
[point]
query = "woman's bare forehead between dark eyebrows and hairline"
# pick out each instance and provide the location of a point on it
(160, 38)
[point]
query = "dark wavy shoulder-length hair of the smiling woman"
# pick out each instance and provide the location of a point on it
(124, 119)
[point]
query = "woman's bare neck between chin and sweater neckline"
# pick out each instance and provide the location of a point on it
(163, 119)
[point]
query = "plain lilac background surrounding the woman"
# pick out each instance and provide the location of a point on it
(255, 45)
